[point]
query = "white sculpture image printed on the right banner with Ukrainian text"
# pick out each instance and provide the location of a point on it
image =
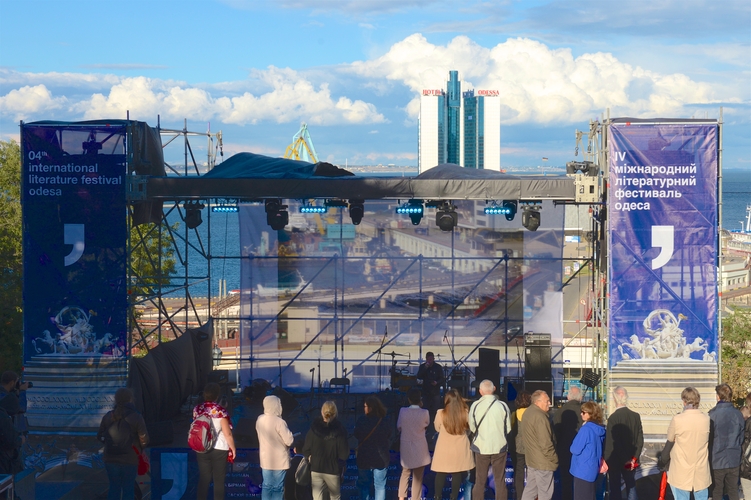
(665, 341)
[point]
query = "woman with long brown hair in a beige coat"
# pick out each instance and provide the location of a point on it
(452, 454)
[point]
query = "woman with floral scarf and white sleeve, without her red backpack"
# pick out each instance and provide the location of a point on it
(212, 465)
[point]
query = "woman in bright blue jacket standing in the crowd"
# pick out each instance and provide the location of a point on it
(586, 452)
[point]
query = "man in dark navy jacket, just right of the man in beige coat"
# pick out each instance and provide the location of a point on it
(725, 440)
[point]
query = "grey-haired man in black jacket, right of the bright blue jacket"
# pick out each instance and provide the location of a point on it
(624, 440)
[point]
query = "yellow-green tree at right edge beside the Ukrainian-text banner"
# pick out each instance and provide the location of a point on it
(736, 351)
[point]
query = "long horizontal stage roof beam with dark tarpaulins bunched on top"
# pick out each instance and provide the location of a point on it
(249, 176)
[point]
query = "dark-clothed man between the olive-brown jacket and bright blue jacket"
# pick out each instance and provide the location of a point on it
(566, 423)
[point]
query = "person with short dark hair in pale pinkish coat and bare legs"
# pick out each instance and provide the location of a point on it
(414, 455)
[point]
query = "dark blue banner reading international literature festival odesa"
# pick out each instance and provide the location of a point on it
(75, 300)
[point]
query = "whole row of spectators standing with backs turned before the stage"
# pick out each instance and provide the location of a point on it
(703, 455)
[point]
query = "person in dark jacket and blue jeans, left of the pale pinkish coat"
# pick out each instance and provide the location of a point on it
(373, 434)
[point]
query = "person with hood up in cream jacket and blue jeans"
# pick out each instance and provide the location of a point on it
(274, 441)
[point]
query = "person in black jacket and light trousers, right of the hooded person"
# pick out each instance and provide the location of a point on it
(327, 450)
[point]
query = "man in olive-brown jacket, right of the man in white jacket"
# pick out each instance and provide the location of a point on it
(539, 450)
